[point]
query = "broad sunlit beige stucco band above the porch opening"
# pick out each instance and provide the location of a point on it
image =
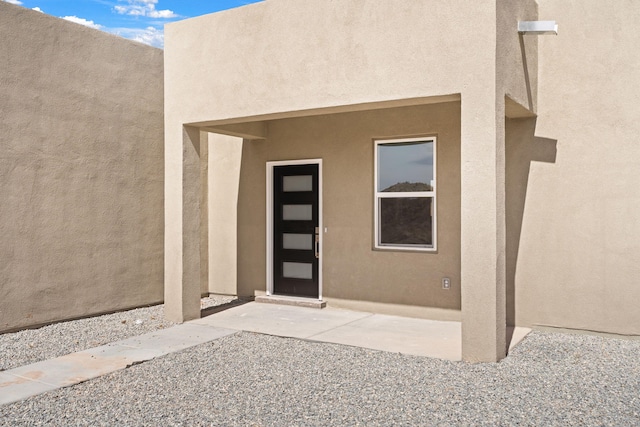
(319, 54)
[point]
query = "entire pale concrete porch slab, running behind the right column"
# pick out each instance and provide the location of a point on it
(419, 337)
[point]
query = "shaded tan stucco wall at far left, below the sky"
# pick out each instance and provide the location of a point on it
(81, 172)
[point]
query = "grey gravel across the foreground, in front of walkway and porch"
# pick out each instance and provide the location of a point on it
(251, 379)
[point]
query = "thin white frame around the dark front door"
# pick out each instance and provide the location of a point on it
(270, 166)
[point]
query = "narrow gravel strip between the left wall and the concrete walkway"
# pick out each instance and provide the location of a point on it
(33, 345)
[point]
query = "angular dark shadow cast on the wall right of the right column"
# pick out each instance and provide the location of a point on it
(522, 148)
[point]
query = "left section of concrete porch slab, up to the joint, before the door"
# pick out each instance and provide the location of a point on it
(281, 320)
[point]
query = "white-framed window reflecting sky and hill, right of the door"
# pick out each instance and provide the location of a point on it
(405, 194)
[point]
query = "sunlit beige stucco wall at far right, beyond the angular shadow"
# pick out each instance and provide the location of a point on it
(578, 263)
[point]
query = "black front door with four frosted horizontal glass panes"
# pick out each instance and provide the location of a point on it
(295, 230)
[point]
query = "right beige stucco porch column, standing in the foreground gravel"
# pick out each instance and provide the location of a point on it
(483, 249)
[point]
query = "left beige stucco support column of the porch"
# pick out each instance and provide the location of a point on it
(182, 225)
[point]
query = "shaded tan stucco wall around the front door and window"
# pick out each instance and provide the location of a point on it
(352, 270)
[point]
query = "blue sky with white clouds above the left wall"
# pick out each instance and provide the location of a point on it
(140, 20)
